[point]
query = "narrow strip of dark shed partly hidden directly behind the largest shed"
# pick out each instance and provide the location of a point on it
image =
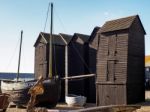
(91, 62)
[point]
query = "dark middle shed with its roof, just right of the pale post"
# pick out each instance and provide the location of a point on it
(77, 63)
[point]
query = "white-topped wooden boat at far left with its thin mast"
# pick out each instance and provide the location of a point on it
(17, 89)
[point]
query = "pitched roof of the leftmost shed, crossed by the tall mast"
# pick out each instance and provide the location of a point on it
(57, 40)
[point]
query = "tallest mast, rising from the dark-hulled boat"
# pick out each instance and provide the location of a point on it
(50, 43)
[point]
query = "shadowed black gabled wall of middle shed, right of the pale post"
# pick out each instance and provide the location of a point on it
(76, 65)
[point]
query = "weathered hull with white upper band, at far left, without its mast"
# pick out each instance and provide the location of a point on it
(18, 91)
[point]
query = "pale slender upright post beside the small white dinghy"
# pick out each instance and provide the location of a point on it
(66, 70)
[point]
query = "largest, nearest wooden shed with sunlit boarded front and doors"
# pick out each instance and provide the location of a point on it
(120, 62)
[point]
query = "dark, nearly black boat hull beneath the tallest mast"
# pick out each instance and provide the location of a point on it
(52, 92)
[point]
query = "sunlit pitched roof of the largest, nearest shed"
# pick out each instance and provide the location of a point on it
(119, 24)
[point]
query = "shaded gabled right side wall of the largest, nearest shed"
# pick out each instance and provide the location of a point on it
(136, 61)
